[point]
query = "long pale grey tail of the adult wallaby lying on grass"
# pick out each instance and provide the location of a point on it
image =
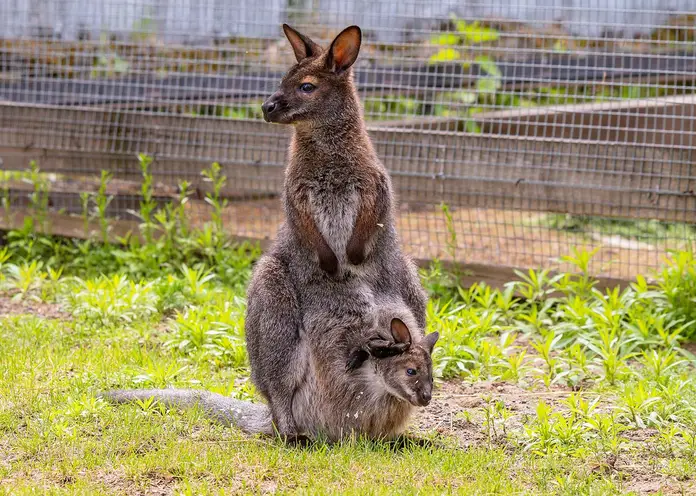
(252, 418)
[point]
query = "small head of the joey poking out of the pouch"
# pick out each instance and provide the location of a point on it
(409, 375)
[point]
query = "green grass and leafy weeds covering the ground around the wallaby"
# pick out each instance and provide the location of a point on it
(547, 386)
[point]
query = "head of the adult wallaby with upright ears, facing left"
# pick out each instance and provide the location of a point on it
(319, 88)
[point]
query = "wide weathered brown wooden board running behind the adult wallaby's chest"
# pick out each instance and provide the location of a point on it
(576, 176)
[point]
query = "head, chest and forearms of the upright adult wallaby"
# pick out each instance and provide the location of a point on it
(329, 134)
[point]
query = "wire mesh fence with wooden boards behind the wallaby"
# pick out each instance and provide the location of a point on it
(514, 130)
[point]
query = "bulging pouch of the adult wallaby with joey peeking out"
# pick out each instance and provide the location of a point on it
(366, 382)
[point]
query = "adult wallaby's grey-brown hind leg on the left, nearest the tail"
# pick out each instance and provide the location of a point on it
(272, 329)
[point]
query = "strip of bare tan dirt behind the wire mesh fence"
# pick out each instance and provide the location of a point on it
(483, 236)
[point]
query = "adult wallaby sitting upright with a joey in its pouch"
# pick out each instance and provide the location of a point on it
(312, 296)
